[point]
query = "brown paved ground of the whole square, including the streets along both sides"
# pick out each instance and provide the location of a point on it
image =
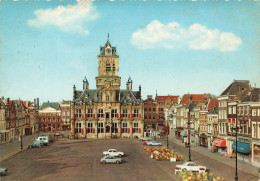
(80, 159)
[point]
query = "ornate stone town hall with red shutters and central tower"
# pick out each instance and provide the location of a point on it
(108, 111)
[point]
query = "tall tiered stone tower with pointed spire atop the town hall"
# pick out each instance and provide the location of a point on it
(108, 81)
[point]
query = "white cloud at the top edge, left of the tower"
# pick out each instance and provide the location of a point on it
(66, 18)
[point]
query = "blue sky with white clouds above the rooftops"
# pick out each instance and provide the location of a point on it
(172, 47)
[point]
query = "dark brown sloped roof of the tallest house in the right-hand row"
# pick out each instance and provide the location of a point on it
(237, 86)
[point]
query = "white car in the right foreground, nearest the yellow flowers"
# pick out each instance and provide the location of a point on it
(189, 166)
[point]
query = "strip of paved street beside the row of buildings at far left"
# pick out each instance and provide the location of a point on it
(11, 148)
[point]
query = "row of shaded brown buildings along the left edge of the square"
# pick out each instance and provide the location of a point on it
(17, 118)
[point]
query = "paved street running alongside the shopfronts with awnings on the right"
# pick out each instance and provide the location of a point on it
(218, 164)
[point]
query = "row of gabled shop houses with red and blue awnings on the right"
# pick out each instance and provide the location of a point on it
(213, 122)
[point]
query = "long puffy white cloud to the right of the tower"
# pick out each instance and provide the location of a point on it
(173, 35)
